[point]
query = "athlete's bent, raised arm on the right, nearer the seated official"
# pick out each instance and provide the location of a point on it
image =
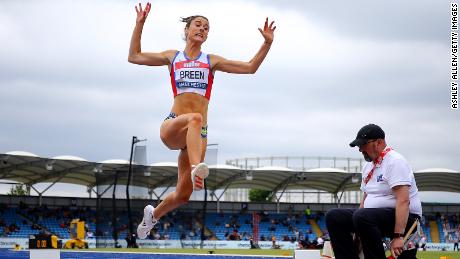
(240, 67)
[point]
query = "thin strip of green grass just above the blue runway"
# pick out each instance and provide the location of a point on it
(275, 252)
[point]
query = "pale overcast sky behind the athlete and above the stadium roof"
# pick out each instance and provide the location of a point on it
(67, 88)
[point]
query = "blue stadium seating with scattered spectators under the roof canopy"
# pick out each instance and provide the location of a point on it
(183, 224)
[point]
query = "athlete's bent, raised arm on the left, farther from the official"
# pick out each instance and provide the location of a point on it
(136, 56)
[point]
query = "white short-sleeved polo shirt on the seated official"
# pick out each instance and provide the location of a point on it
(393, 171)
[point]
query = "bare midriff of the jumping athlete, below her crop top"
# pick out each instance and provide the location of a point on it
(191, 103)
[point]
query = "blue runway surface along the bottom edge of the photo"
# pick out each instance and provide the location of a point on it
(10, 254)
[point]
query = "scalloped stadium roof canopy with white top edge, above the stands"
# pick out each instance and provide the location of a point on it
(31, 169)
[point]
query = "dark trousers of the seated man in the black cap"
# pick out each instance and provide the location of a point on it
(371, 225)
